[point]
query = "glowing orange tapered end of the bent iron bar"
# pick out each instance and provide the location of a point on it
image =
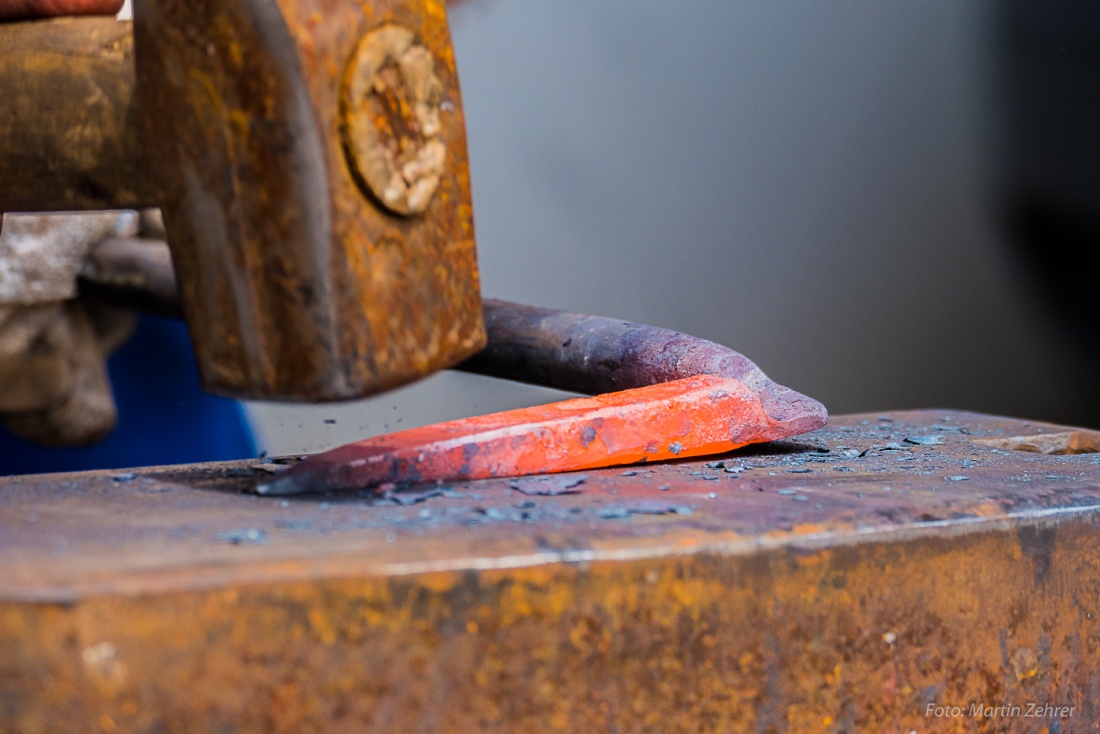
(688, 418)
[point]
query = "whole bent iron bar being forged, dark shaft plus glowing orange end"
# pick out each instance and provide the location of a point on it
(659, 395)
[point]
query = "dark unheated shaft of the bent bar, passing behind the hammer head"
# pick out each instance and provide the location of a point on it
(588, 355)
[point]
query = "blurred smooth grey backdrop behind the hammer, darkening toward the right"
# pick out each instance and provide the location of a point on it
(826, 188)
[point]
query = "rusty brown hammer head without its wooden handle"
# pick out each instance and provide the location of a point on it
(270, 130)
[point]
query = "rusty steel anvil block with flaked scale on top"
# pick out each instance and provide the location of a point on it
(845, 582)
